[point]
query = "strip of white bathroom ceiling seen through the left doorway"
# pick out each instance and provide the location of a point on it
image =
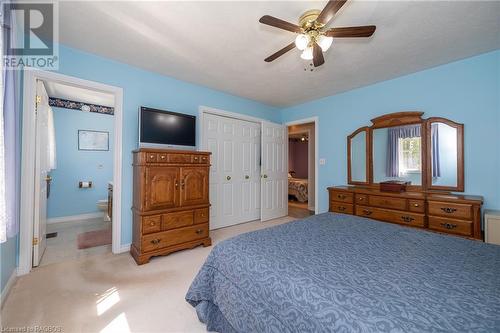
(77, 94)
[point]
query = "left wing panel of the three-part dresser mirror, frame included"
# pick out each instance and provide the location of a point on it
(358, 165)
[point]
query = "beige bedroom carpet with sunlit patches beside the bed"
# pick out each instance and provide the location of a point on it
(110, 293)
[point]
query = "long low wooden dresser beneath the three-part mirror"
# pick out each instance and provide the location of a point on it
(448, 213)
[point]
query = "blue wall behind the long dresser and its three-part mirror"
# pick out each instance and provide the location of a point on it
(465, 91)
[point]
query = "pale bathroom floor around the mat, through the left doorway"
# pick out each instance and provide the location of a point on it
(64, 246)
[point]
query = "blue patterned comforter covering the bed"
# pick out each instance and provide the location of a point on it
(342, 273)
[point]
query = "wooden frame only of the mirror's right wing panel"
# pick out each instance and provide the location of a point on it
(460, 155)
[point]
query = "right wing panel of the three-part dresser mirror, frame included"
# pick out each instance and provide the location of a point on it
(445, 142)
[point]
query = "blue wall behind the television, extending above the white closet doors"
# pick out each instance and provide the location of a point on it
(141, 87)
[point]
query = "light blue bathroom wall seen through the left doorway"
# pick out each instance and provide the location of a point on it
(73, 165)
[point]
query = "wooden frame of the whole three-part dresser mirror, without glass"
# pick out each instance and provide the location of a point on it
(402, 119)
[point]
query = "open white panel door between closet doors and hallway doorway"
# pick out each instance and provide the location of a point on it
(274, 180)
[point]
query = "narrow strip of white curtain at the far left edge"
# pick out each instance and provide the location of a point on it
(3, 206)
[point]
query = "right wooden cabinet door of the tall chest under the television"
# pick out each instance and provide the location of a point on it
(194, 186)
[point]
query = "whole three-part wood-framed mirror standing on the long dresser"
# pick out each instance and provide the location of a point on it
(427, 153)
